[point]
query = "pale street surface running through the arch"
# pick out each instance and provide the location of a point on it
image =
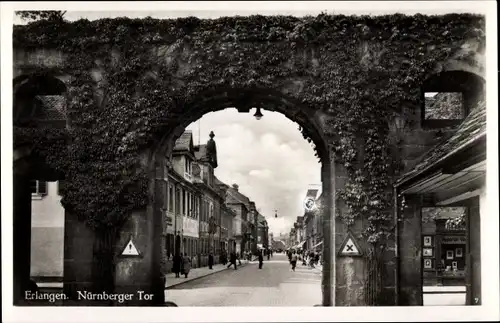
(273, 285)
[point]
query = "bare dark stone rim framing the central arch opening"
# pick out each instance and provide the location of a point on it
(154, 226)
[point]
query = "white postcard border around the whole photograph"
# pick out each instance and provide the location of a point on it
(489, 224)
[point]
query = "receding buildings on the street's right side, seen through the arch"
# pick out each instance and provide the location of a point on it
(307, 232)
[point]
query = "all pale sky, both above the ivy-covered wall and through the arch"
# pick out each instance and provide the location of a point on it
(268, 159)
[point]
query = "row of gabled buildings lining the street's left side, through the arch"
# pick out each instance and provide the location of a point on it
(204, 214)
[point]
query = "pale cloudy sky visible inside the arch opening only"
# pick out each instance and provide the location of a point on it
(269, 160)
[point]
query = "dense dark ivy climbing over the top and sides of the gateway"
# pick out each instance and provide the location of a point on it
(356, 68)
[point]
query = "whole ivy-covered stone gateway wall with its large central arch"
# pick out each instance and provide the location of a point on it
(128, 88)
